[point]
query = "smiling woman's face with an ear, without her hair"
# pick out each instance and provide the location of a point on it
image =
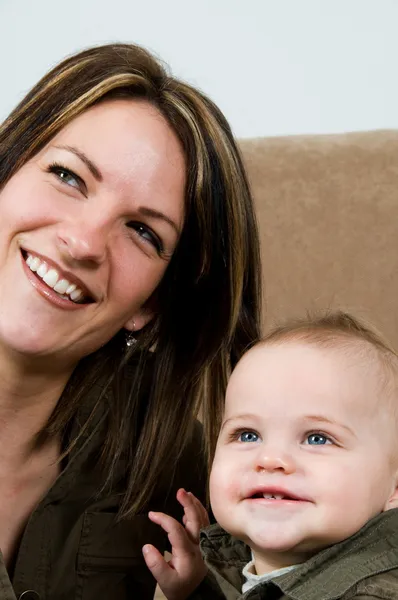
(87, 229)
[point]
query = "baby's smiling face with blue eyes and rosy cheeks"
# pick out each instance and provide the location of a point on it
(304, 456)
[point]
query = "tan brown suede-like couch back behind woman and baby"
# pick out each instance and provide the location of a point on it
(327, 207)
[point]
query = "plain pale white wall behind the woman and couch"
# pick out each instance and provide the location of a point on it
(275, 67)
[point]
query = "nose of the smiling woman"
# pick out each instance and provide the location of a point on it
(83, 242)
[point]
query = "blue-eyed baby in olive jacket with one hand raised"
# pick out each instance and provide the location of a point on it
(304, 477)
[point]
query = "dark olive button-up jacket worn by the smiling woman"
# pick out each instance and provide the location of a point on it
(73, 547)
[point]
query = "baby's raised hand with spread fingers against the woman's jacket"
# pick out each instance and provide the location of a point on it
(183, 573)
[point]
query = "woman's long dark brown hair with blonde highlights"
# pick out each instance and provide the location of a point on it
(208, 303)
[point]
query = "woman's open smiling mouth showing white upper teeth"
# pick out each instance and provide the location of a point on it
(67, 290)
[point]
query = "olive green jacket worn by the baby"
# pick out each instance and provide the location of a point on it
(363, 567)
